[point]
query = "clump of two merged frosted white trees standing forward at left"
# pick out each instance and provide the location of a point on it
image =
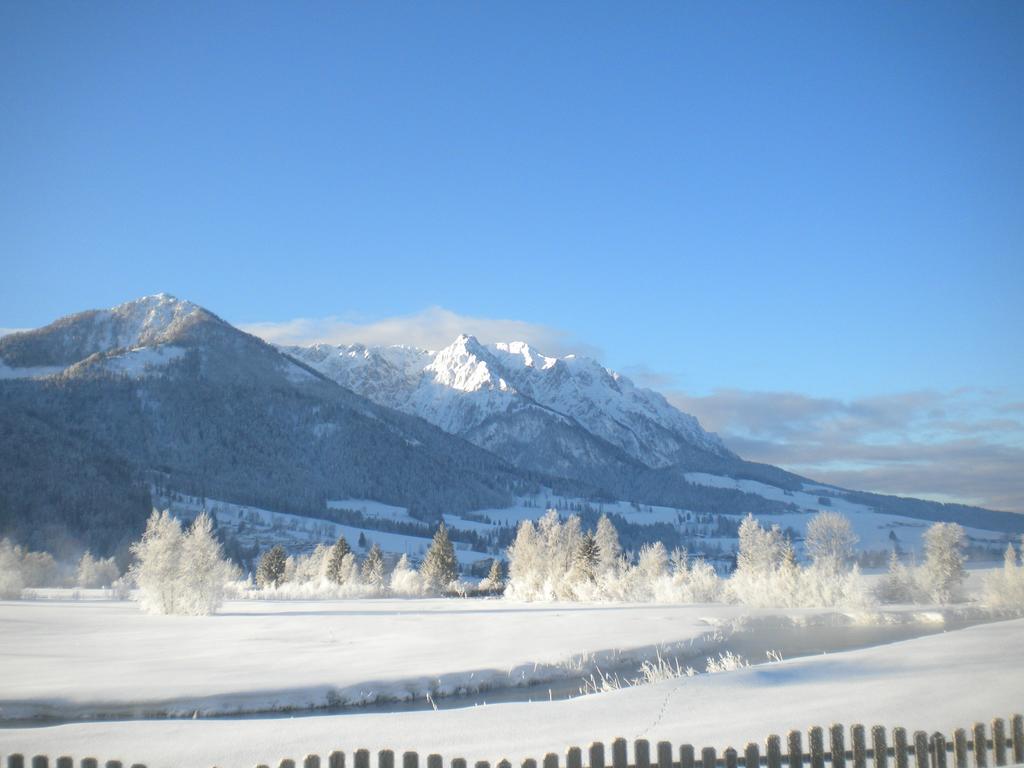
(179, 573)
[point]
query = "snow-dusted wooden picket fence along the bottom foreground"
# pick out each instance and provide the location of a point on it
(978, 747)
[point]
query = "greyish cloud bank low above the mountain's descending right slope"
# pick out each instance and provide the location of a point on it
(965, 446)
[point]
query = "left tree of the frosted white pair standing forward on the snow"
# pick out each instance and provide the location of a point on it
(158, 564)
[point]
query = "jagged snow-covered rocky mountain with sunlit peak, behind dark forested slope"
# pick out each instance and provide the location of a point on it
(509, 397)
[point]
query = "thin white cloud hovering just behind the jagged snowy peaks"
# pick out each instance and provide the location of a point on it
(434, 328)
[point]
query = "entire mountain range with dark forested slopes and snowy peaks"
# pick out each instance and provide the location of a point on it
(99, 407)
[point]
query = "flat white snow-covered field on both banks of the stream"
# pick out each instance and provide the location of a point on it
(67, 659)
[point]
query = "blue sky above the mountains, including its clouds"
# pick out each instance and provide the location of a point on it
(738, 203)
